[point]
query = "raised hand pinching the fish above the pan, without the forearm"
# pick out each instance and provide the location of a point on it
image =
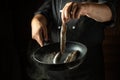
(72, 10)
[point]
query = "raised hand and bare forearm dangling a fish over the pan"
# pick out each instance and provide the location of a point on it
(96, 11)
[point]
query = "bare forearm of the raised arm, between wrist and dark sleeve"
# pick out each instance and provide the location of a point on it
(98, 12)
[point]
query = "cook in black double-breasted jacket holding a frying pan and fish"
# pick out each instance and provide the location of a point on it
(86, 21)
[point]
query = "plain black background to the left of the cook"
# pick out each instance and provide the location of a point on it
(15, 34)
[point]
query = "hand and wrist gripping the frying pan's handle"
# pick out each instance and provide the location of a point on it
(39, 30)
